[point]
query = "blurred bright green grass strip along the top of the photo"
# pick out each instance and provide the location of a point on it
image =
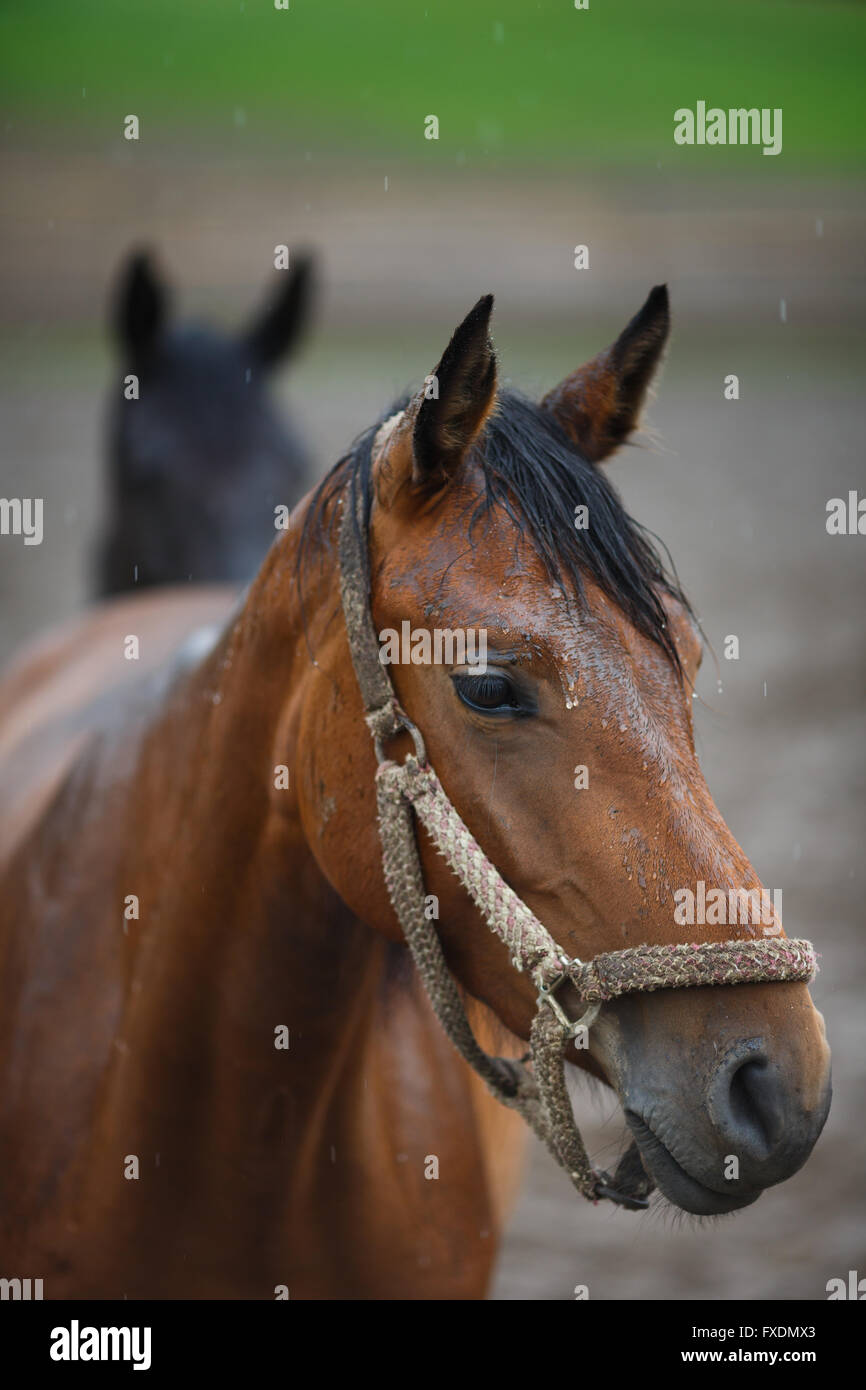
(509, 81)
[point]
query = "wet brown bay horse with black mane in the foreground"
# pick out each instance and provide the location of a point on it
(219, 1074)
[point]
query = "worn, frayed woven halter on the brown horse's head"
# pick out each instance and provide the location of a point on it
(414, 787)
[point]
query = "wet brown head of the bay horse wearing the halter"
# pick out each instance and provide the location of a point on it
(568, 751)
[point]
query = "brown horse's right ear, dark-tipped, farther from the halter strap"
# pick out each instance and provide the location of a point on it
(600, 404)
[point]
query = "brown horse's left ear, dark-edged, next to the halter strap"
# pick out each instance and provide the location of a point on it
(457, 400)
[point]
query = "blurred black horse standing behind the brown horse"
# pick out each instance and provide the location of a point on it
(201, 459)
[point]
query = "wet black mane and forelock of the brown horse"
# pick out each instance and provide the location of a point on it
(533, 471)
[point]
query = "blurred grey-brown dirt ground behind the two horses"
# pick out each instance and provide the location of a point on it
(767, 286)
